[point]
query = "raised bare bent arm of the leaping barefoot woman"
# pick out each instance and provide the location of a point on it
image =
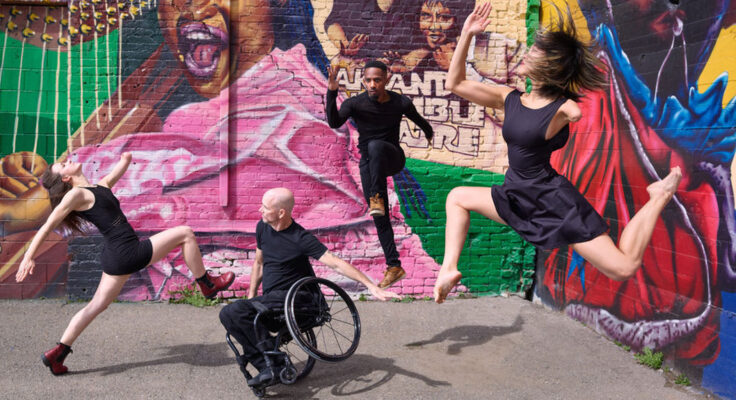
(479, 93)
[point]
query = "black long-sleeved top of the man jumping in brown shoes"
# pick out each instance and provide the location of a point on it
(375, 120)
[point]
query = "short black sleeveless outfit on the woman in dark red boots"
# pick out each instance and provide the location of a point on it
(124, 253)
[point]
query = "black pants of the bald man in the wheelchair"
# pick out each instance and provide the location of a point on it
(238, 317)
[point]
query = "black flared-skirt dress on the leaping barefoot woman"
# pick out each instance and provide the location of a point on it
(538, 203)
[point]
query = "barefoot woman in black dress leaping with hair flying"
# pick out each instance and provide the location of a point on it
(537, 202)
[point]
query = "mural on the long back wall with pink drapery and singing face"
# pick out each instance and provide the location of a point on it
(218, 101)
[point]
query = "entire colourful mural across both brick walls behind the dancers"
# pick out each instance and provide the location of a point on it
(220, 100)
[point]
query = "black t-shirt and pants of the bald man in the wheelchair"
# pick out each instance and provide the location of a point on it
(285, 261)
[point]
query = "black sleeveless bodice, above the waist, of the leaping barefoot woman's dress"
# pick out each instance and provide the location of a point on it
(524, 131)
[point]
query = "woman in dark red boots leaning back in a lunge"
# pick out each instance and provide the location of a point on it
(74, 199)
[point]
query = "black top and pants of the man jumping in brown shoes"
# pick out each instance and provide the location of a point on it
(381, 155)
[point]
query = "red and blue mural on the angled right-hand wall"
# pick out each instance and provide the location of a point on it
(655, 114)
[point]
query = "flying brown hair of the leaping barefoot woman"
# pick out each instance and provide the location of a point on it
(568, 65)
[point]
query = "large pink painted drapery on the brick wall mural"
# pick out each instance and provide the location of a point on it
(281, 139)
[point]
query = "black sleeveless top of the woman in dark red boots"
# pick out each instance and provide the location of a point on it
(107, 216)
